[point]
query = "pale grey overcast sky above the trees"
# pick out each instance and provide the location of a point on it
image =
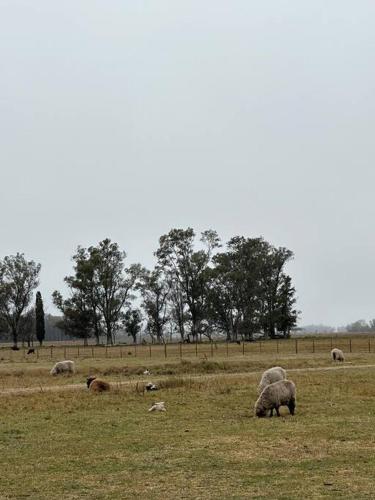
(123, 119)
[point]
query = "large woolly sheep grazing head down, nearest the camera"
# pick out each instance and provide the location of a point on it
(281, 393)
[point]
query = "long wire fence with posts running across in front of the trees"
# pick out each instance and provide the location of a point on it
(201, 350)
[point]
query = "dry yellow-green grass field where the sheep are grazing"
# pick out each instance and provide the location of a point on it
(208, 445)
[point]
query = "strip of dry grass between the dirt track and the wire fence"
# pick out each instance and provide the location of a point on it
(36, 374)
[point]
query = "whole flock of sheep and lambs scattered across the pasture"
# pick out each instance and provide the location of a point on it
(274, 389)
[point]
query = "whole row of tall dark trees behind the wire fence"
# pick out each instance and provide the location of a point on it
(197, 288)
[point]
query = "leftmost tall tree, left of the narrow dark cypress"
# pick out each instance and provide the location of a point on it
(18, 279)
